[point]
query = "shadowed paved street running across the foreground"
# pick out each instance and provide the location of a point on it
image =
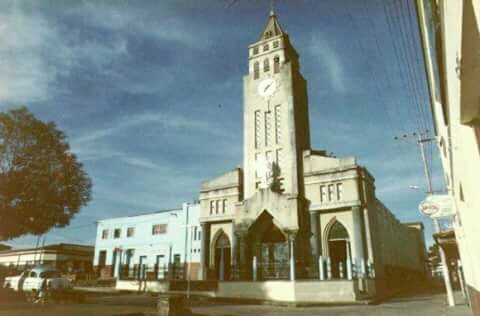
(144, 305)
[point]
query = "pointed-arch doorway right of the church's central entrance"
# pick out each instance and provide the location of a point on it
(338, 248)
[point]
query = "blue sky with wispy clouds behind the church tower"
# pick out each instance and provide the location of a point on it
(149, 93)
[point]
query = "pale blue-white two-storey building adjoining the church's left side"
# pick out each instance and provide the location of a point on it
(157, 245)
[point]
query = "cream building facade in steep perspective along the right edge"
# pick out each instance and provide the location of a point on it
(451, 43)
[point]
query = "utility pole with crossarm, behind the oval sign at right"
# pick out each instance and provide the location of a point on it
(421, 140)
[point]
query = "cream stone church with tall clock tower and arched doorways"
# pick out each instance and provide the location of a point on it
(292, 212)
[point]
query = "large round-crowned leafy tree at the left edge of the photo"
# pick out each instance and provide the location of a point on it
(42, 184)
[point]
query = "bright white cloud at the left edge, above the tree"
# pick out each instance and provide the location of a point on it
(33, 53)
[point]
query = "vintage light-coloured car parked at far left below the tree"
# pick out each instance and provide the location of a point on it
(33, 279)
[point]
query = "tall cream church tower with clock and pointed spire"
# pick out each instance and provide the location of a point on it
(276, 126)
